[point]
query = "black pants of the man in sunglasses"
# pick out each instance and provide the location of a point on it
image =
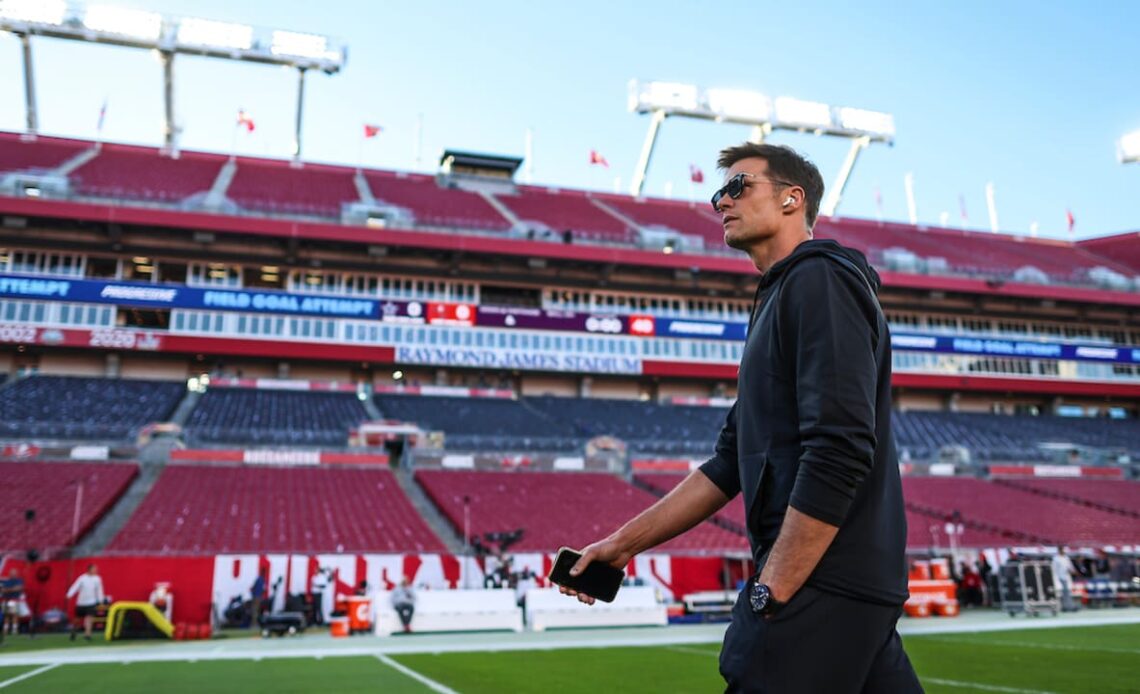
(818, 643)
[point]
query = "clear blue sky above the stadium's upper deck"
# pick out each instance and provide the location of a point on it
(1031, 96)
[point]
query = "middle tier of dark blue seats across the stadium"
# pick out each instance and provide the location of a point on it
(69, 407)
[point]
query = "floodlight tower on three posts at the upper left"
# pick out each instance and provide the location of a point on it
(168, 36)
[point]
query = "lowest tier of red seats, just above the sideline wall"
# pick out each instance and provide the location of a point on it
(207, 510)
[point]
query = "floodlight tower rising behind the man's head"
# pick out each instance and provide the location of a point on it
(764, 115)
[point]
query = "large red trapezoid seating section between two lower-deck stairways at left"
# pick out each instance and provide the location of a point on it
(205, 510)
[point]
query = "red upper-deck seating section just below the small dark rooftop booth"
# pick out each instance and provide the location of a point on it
(435, 206)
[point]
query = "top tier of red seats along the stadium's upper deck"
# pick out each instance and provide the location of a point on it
(272, 186)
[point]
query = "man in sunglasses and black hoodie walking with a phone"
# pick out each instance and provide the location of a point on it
(809, 444)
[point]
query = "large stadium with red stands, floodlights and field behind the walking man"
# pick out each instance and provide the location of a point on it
(258, 394)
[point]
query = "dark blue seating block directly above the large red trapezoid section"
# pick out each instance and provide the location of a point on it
(276, 418)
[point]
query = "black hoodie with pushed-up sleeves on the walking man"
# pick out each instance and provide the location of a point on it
(811, 427)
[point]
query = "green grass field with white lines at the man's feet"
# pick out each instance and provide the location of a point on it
(1103, 660)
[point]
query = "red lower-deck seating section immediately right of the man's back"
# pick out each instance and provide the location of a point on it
(1021, 513)
